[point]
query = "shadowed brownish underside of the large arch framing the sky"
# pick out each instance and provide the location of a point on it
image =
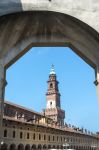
(21, 31)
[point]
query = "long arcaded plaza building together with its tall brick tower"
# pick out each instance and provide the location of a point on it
(25, 129)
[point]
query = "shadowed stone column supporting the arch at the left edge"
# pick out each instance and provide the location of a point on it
(2, 89)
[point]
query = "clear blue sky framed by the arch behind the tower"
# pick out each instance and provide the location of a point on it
(27, 84)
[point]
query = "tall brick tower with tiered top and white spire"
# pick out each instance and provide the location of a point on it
(53, 108)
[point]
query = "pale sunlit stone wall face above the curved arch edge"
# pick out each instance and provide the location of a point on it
(67, 7)
